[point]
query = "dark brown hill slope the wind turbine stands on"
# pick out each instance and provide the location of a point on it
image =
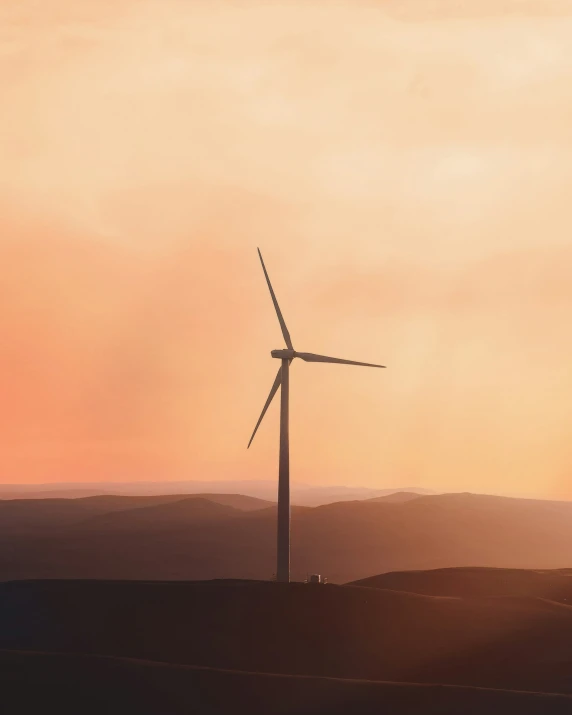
(334, 631)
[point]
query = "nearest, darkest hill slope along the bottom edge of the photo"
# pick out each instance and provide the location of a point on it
(92, 685)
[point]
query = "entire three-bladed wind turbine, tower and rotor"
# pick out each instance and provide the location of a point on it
(283, 380)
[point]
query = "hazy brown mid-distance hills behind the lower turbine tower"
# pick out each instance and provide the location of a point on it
(234, 536)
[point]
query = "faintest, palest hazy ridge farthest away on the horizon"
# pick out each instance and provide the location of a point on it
(302, 494)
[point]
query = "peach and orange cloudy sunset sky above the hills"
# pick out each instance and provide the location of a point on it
(404, 167)
